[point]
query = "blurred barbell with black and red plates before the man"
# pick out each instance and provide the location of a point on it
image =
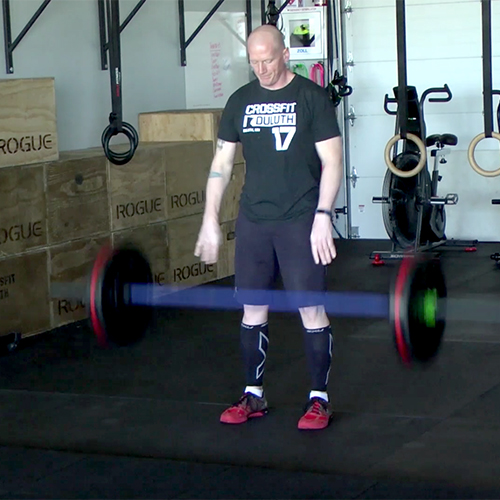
(120, 297)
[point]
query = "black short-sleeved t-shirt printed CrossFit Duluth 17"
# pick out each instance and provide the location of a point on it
(278, 130)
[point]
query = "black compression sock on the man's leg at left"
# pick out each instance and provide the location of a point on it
(254, 342)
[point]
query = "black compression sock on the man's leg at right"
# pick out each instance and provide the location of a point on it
(319, 345)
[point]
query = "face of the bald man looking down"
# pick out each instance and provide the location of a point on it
(268, 62)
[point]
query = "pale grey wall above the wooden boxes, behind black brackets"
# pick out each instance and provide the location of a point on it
(64, 44)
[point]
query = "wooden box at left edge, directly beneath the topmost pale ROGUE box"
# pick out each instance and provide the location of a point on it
(23, 221)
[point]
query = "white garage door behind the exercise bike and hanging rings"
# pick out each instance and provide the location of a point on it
(443, 46)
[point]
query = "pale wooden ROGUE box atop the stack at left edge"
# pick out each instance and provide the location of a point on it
(28, 128)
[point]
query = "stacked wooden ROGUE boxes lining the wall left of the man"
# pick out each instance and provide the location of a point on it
(57, 209)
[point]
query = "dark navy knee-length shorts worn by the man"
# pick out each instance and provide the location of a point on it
(266, 249)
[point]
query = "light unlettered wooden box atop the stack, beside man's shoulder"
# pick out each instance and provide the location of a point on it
(183, 125)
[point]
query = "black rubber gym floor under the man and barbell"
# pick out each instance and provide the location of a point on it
(77, 421)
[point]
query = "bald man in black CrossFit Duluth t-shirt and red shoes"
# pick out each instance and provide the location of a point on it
(293, 152)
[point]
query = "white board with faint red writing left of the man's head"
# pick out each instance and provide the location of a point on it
(217, 63)
